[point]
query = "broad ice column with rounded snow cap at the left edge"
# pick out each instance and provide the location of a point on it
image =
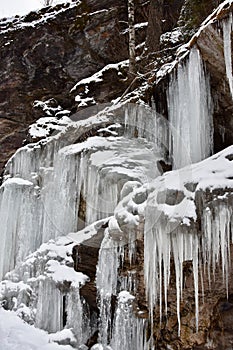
(18, 210)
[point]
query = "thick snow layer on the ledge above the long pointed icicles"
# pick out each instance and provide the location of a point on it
(211, 174)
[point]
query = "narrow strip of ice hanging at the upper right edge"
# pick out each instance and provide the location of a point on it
(227, 32)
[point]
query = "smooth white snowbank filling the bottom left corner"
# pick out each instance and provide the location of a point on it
(16, 335)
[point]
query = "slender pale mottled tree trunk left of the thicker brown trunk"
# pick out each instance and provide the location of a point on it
(132, 58)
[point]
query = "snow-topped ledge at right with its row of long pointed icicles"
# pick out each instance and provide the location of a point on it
(170, 228)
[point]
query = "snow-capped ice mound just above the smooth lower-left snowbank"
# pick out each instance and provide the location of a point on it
(44, 290)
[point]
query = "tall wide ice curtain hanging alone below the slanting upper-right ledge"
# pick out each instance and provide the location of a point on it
(190, 112)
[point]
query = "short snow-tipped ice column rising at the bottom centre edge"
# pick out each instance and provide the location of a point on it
(128, 331)
